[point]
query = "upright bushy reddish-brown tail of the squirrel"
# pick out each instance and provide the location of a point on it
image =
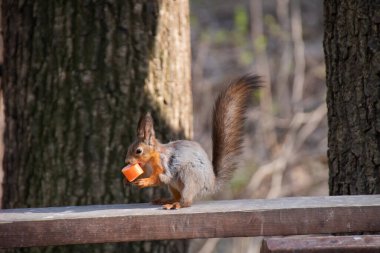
(228, 126)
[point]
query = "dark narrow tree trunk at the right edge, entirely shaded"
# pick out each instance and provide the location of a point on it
(352, 53)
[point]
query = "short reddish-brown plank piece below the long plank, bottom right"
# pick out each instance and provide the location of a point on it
(322, 244)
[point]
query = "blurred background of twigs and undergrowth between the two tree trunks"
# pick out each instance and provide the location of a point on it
(286, 130)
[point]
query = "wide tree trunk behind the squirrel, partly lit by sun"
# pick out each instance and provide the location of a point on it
(77, 75)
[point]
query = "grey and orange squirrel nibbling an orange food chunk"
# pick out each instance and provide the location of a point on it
(184, 165)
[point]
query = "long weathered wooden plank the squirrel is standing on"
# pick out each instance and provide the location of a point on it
(134, 222)
